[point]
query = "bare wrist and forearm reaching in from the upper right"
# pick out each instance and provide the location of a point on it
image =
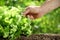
(50, 5)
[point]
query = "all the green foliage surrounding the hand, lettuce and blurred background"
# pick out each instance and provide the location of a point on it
(13, 23)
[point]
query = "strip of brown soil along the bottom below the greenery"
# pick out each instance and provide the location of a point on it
(41, 37)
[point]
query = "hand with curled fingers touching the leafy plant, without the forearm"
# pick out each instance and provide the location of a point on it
(33, 12)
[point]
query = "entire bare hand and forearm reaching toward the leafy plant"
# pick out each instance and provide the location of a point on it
(34, 12)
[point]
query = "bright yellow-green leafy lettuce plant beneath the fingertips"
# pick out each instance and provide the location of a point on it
(12, 23)
